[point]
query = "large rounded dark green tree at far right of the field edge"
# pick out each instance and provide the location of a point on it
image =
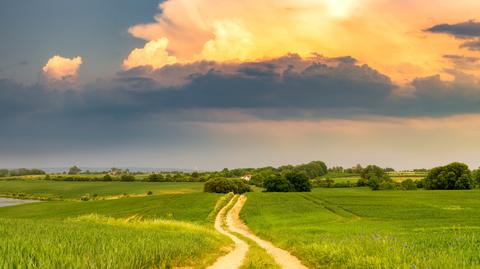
(455, 176)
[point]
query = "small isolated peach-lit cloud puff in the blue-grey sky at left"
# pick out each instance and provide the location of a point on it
(61, 68)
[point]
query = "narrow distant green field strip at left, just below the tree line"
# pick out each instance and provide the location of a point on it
(74, 190)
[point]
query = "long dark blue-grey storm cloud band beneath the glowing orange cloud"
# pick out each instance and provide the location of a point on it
(140, 104)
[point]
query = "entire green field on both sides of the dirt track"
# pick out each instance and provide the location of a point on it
(327, 228)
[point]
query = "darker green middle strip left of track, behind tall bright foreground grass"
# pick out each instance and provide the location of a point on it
(192, 207)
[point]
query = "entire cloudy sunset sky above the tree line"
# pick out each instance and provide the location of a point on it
(209, 84)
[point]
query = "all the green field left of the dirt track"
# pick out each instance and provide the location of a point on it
(173, 228)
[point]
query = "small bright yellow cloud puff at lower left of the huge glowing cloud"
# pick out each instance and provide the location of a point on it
(154, 54)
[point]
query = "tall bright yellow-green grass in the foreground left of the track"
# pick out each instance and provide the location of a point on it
(95, 241)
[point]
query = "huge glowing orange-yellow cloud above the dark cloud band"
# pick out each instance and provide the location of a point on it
(386, 34)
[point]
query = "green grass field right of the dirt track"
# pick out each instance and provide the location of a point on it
(358, 228)
